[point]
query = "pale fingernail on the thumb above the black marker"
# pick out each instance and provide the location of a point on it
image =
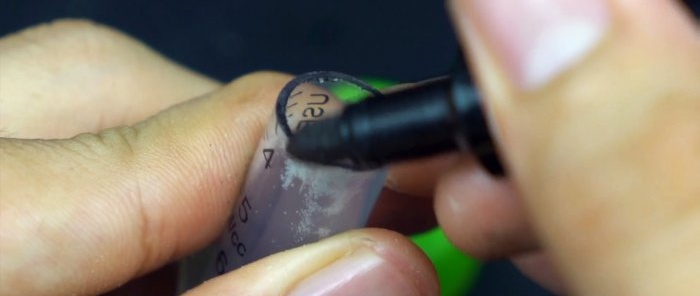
(535, 39)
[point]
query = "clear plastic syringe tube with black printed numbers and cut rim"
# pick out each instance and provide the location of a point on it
(285, 202)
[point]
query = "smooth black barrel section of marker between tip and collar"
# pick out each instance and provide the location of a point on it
(411, 123)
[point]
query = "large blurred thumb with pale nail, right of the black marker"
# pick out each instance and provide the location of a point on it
(596, 104)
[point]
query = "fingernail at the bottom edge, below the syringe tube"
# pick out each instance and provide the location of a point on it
(361, 273)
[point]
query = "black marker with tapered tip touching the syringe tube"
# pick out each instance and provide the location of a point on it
(427, 118)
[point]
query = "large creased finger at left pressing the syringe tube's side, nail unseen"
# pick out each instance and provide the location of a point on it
(98, 209)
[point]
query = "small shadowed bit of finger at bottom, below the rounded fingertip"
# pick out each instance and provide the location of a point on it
(538, 267)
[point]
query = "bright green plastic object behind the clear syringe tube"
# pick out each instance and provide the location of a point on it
(456, 271)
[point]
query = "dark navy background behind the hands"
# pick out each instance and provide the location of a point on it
(399, 40)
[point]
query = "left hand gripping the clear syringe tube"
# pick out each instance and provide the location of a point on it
(138, 174)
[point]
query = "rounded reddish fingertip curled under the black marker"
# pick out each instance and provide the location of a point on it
(482, 215)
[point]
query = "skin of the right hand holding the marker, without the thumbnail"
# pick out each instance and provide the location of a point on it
(602, 196)
